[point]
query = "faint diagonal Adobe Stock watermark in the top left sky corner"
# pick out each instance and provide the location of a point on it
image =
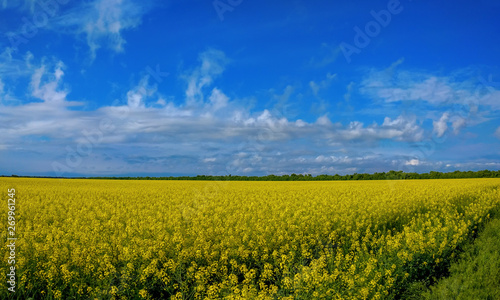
(45, 9)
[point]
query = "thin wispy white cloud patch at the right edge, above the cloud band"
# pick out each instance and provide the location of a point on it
(461, 97)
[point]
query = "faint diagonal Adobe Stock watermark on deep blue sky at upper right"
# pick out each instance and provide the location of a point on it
(363, 36)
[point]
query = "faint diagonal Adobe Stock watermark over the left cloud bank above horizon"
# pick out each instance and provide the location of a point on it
(90, 139)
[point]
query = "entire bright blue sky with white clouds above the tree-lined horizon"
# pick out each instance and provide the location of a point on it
(150, 88)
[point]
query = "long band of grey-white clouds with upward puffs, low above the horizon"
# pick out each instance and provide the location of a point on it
(208, 132)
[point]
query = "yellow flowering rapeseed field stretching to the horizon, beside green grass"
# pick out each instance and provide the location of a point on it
(104, 239)
